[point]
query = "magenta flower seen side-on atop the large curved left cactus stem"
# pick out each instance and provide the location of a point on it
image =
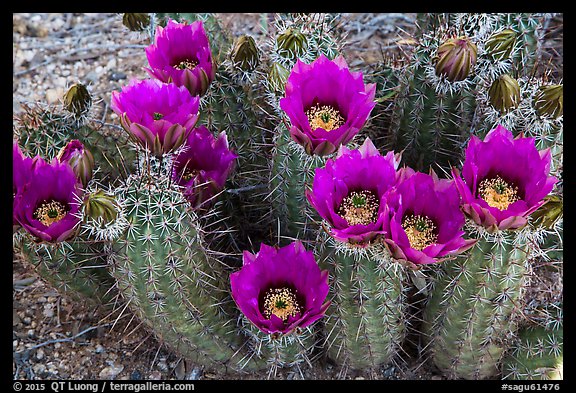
(157, 115)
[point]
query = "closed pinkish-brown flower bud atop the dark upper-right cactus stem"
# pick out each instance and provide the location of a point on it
(456, 58)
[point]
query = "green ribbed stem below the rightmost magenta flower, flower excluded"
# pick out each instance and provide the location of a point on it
(474, 306)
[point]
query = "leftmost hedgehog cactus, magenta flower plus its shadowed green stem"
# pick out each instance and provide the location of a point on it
(49, 212)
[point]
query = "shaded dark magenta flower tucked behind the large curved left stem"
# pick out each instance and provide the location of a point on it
(203, 166)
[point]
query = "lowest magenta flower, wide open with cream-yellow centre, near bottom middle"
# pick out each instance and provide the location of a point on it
(280, 289)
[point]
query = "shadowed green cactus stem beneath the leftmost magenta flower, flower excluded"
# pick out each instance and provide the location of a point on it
(77, 267)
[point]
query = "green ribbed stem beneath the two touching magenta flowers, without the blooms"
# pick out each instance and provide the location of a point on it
(365, 323)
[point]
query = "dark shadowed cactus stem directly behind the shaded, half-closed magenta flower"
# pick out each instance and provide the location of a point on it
(231, 106)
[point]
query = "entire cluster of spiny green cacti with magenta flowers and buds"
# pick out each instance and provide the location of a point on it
(290, 212)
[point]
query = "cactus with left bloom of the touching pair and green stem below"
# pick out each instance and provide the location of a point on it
(365, 324)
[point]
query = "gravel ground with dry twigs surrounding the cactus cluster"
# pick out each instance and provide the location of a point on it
(53, 336)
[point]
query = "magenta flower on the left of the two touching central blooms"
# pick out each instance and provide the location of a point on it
(348, 192)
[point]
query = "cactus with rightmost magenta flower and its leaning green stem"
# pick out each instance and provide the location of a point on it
(476, 299)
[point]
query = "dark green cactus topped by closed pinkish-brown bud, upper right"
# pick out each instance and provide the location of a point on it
(434, 100)
